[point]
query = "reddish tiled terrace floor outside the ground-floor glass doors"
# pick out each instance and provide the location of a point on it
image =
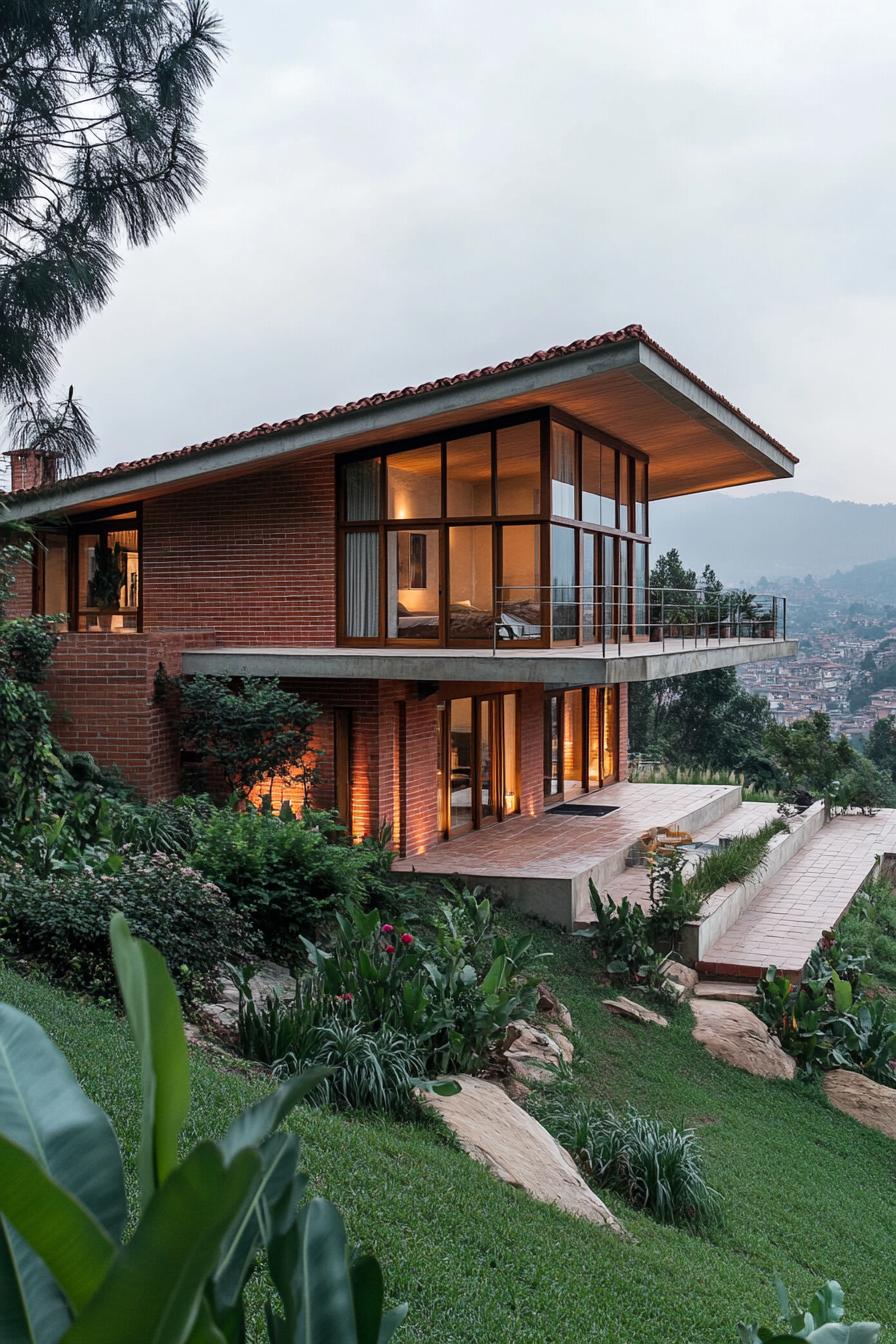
(564, 846)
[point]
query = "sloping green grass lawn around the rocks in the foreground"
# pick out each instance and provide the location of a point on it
(807, 1191)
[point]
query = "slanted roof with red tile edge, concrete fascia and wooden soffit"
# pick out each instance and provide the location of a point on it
(621, 382)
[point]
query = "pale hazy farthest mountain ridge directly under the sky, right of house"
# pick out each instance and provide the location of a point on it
(784, 534)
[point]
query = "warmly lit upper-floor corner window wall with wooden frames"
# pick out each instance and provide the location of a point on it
(521, 532)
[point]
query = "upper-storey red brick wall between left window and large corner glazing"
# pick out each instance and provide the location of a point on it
(253, 558)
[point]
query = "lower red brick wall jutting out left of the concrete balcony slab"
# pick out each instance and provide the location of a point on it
(103, 691)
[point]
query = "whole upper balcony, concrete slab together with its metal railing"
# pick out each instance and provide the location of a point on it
(559, 636)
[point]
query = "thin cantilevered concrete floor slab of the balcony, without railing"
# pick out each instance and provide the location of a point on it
(553, 667)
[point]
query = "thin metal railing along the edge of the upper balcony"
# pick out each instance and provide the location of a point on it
(609, 616)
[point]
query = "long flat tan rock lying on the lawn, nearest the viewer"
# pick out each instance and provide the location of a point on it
(518, 1150)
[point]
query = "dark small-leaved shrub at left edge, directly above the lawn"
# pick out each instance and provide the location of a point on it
(62, 923)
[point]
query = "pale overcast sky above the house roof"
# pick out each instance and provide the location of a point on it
(400, 192)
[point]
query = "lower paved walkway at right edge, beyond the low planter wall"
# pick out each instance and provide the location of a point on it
(807, 897)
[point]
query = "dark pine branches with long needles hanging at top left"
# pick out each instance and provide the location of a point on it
(97, 147)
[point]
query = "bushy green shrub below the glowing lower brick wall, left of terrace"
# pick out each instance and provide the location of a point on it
(281, 873)
